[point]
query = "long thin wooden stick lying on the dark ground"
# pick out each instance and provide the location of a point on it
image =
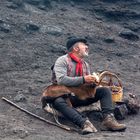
(38, 117)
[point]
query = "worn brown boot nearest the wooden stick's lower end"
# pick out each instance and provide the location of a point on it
(88, 128)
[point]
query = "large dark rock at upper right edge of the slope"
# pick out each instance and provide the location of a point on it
(128, 34)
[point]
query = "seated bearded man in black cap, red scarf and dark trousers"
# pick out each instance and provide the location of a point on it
(72, 70)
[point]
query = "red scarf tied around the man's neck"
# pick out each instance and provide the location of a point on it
(79, 67)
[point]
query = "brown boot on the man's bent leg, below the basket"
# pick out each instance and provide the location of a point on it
(111, 123)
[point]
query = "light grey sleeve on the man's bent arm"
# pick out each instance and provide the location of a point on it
(60, 69)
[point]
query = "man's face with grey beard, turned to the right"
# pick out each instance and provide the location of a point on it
(83, 49)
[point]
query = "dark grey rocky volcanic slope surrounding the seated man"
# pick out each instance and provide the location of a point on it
(33, 34)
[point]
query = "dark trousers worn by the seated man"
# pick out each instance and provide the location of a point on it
(102, 94)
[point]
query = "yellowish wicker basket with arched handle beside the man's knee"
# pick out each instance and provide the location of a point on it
(107, 79)
